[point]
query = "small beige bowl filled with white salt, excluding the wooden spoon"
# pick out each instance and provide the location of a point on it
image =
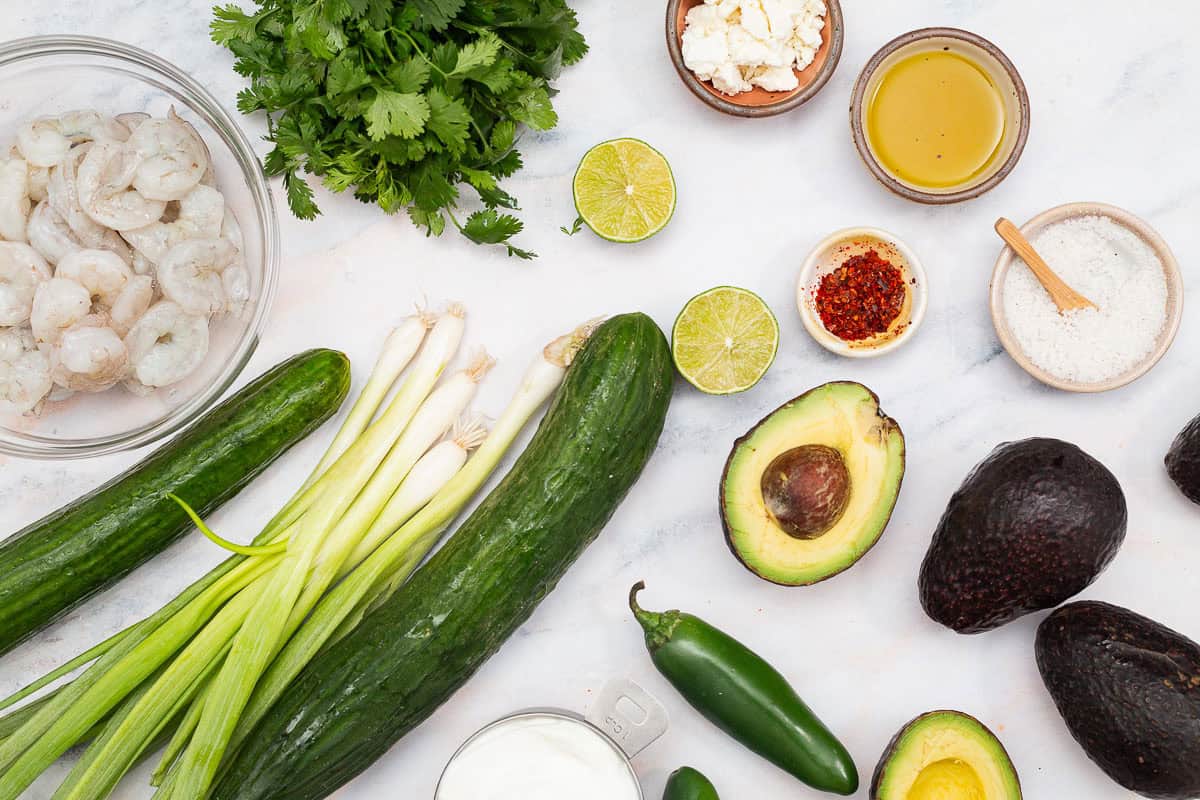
(1123, 266)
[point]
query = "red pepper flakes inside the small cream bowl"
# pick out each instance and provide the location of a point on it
(862, 298)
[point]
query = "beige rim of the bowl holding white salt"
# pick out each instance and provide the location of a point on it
(1132, 224)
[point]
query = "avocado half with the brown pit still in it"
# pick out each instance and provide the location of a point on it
(811, 489)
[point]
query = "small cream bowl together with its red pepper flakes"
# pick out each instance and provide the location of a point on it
(862, 293)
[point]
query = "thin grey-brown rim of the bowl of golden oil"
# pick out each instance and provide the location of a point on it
(889, 179)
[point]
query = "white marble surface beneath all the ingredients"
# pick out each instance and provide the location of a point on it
(1114, 121)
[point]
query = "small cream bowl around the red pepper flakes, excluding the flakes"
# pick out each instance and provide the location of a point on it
(831, 254)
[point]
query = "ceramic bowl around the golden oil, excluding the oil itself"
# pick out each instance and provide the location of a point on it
(1000, 70)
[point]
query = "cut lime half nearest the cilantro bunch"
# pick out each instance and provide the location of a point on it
(625, 190)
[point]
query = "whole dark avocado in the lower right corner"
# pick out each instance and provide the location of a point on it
(1130, 693)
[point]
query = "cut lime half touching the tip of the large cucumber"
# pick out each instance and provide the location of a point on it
(725, 340)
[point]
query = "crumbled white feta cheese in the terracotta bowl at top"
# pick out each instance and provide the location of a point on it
(739, 45)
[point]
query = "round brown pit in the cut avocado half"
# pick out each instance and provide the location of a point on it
(806, 490)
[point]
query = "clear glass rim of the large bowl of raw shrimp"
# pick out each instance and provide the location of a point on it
(233, 137)
